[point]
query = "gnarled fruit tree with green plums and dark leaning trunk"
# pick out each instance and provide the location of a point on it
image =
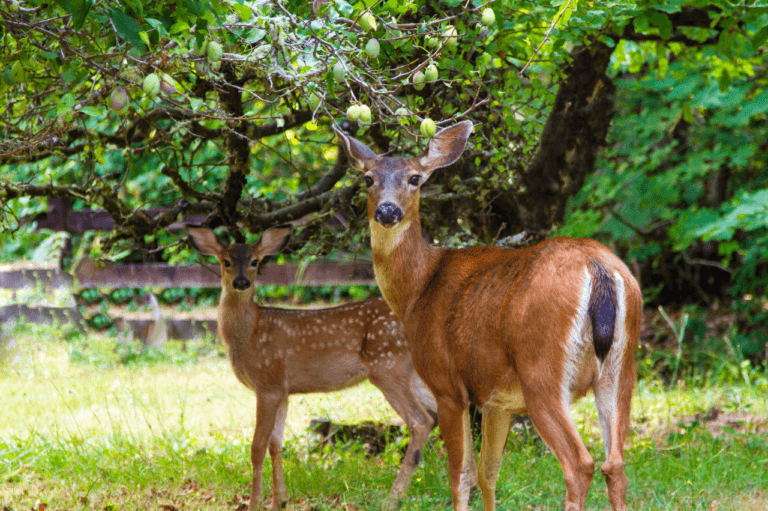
(223, 107)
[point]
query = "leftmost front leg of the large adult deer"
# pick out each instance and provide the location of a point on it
(453, 419)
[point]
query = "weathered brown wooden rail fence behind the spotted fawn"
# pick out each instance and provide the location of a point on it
(98, 274)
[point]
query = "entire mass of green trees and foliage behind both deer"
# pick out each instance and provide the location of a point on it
(656, 146)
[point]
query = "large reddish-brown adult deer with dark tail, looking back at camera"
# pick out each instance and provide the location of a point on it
(514, 331)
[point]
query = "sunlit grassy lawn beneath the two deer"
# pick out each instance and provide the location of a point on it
(90, 424)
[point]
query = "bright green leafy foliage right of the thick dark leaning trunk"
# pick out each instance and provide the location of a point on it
(682, 189)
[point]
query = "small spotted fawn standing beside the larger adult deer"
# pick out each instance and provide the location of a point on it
(278, 352)
